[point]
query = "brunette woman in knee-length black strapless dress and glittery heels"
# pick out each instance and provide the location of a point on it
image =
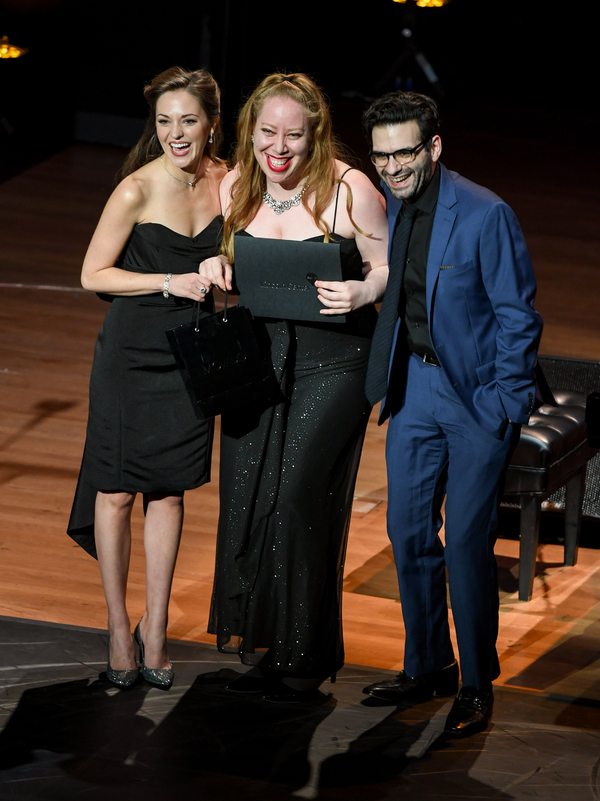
(160, 223)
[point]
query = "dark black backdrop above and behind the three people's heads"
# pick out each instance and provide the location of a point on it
(514, 67)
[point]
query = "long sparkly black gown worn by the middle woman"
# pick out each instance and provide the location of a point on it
(287, 480)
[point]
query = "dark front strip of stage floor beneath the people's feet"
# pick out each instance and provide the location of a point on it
(69, 734)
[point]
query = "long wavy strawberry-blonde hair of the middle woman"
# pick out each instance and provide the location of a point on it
(249, 186)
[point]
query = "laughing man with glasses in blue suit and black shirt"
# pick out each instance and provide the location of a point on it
(453, 358)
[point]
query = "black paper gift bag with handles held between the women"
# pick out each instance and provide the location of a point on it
(221, 362)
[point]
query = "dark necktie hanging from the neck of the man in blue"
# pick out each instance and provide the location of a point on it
(381, 346)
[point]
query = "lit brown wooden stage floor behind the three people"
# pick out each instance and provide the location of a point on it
(49, 325)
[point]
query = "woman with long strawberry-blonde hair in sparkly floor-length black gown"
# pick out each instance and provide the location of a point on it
(288, 472)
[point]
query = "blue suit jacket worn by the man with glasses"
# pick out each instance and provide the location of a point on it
(480, 290)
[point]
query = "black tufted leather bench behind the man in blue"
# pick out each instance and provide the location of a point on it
(552, 452)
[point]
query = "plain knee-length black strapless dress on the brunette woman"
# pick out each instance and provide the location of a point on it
(143, 434)
